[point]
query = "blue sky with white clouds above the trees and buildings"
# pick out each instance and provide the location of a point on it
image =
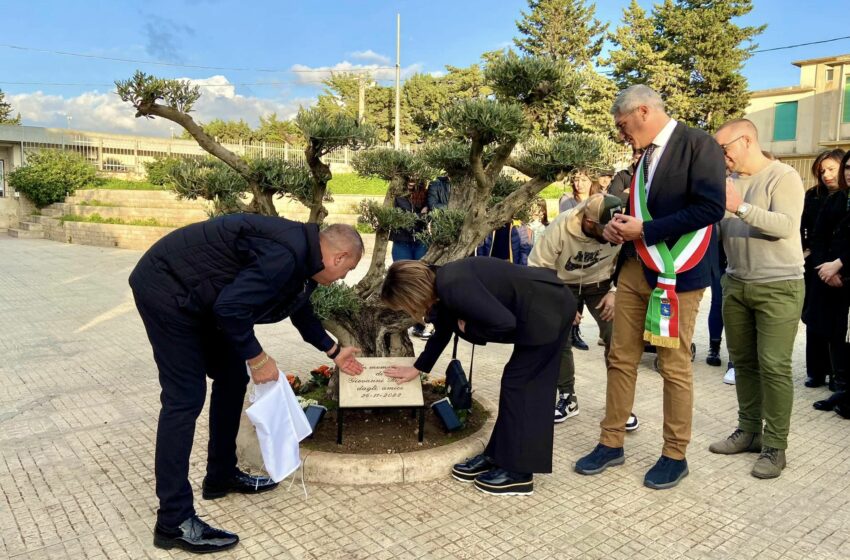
(309, 37)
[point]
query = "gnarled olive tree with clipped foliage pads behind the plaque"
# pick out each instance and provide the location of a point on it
(495, 163)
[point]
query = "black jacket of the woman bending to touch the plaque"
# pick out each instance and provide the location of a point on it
(500, 302)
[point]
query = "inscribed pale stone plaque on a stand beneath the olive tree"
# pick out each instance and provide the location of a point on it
(372, 389)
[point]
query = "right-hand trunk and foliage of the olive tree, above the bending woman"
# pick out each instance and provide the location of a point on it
(491, 135)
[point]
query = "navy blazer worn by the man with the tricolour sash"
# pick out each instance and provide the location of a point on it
(688, 192)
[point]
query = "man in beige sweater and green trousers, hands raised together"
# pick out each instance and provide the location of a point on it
(762, 293)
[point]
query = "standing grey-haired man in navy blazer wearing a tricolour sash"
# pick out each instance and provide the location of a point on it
(677, 194)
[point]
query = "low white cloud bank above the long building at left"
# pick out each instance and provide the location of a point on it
(100, 111)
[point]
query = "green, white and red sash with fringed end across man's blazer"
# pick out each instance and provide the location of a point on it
(661, 327)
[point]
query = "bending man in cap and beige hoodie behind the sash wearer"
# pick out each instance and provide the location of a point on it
(573, 247)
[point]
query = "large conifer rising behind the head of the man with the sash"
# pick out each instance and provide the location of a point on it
(691, 52)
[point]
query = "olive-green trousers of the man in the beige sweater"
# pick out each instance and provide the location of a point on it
(761, 323)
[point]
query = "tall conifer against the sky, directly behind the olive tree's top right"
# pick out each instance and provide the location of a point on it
(568, 32)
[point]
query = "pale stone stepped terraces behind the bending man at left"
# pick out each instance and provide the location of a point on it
(162, 206)
